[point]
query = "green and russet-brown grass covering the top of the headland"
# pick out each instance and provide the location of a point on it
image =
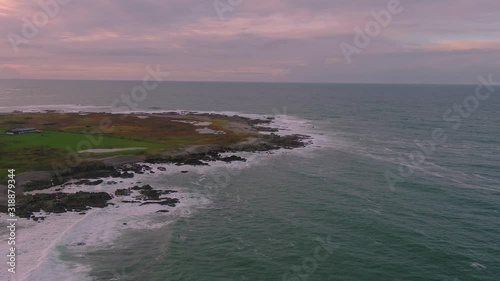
(63, 133)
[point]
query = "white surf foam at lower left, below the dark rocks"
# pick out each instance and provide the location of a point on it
(98, 228)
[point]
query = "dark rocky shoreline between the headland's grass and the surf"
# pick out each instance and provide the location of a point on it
(91, 173)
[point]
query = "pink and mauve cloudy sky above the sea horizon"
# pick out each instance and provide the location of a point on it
(419, 41)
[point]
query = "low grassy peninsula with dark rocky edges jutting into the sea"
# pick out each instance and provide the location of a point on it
(85, 148)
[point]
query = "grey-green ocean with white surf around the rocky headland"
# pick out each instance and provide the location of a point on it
(401, 182)
